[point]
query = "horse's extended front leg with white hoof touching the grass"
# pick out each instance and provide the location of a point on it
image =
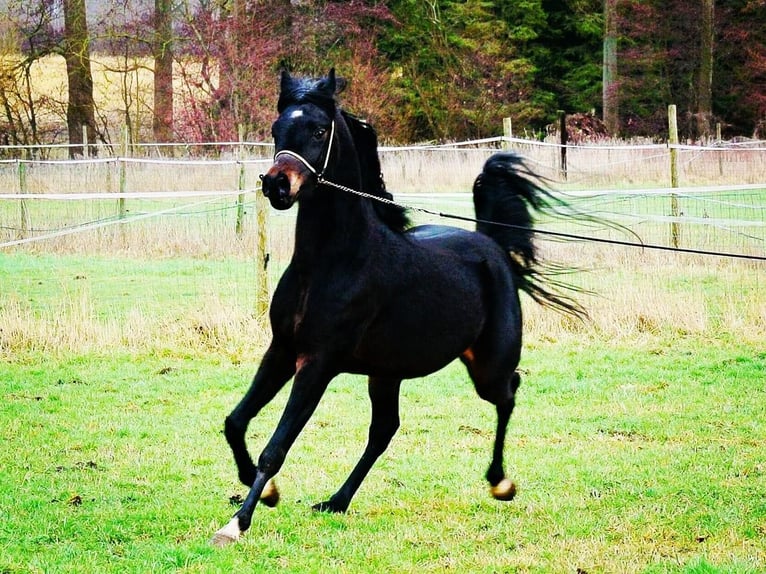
(309, 385)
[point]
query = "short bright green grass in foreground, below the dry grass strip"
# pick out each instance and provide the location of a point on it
(629, 459)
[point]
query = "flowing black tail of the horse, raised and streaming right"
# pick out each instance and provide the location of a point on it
(503, 194)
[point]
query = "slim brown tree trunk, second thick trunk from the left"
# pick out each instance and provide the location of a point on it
(162, 121)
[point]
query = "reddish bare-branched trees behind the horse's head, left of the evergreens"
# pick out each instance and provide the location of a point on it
(231, 61)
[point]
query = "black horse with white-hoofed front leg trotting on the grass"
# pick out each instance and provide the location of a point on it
(364, 294)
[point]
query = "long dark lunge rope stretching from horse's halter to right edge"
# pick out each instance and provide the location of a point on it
(560, 234)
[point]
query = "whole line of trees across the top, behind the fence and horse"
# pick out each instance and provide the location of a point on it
(419, 69)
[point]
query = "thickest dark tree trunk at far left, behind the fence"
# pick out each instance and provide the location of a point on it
(80, 108)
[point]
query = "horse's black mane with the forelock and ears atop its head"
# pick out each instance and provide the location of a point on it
(322, 93)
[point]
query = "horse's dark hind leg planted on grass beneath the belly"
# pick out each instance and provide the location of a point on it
(384, 396)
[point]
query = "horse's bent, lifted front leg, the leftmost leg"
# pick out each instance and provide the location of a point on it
(276, 368)
